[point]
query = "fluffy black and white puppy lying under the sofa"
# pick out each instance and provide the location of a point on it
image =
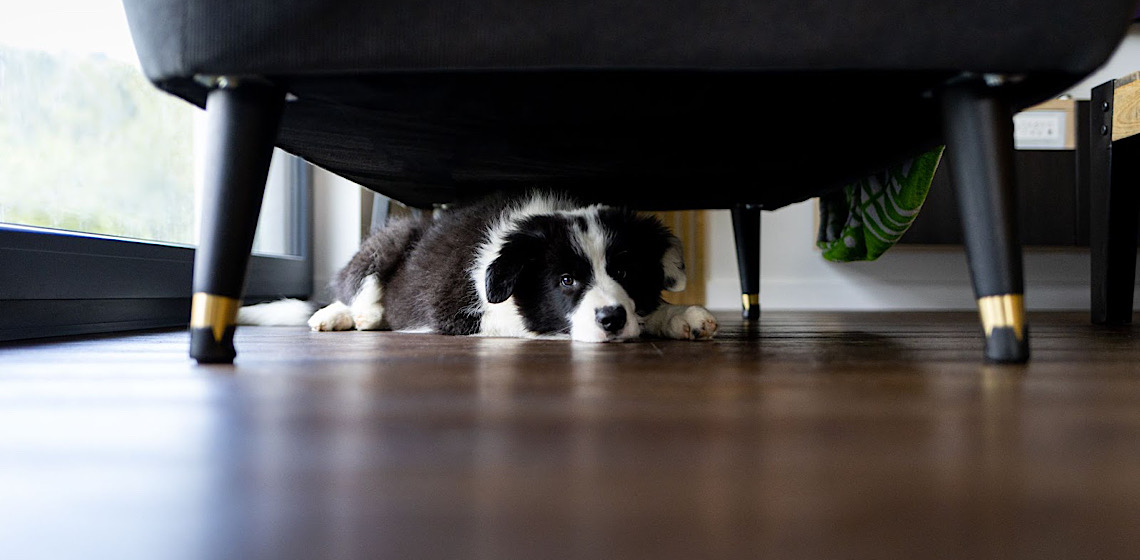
(536, 265)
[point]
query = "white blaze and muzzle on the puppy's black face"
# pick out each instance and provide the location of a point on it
(604, 290)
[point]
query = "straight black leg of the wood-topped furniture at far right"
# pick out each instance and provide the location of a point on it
(1114, 205)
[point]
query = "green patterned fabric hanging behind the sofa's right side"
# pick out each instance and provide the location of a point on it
(862, 221)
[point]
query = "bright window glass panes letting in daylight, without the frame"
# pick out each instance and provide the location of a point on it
(91, 147)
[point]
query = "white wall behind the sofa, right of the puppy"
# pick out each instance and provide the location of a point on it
(795, 277)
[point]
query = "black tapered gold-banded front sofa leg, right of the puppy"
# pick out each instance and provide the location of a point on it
(980, 134)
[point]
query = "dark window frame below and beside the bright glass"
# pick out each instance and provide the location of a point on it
(61, 283)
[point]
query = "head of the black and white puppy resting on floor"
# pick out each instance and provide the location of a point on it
(590, 273)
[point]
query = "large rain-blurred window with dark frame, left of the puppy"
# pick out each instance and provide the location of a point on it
(100, 184)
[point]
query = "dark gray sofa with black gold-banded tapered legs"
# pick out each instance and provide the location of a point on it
(654, 104)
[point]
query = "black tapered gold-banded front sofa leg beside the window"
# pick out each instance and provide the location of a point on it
(243, 117)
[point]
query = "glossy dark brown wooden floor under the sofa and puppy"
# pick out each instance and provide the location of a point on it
(810, 436)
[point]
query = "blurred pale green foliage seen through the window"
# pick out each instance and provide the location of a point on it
(88, 145)
